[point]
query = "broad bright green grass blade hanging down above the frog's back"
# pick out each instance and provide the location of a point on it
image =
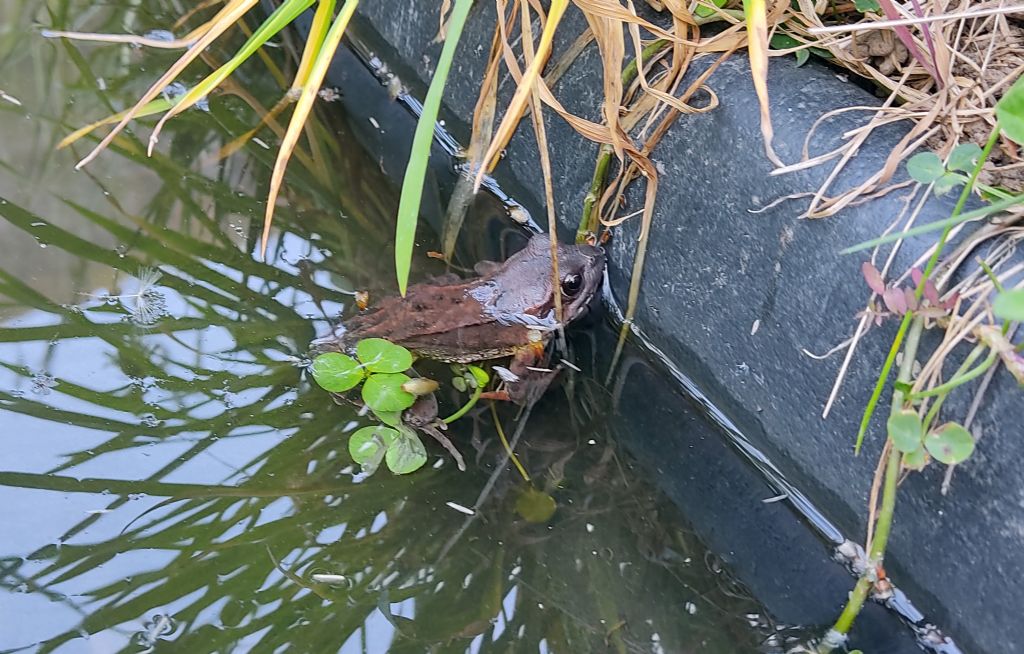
(416, 171)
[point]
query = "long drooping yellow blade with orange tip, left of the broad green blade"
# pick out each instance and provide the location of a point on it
(303, 110)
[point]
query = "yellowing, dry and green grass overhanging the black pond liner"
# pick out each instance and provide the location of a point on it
(930, 82)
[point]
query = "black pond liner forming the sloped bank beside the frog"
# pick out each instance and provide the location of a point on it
(732, 301)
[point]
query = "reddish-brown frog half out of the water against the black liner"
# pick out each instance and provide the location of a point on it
(507, 312)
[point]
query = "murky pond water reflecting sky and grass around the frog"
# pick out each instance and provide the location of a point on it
(170, 478)
